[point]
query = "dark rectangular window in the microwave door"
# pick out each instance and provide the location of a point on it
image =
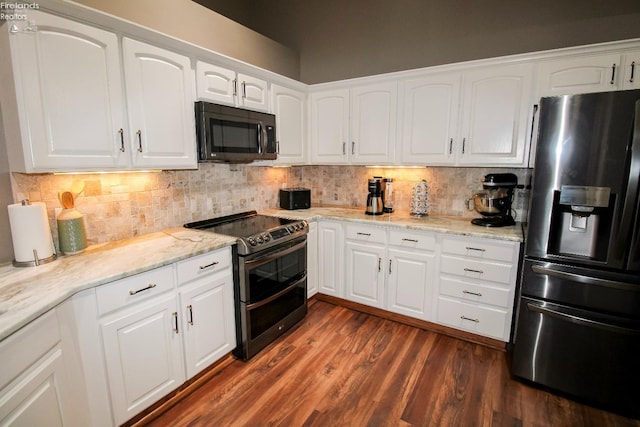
(235, 137)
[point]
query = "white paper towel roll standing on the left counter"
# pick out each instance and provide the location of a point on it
(30, 231)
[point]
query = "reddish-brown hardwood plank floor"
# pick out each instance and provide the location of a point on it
(341, 367)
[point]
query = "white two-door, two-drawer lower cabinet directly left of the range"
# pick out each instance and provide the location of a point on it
(156, 336)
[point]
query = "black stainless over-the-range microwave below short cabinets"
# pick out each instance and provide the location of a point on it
(234, 135)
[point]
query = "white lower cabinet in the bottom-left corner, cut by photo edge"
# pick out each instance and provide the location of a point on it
(34, 386)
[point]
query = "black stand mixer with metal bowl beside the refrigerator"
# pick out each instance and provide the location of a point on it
(494, 202)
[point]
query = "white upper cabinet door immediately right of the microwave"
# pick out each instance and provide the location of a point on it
(289, 106)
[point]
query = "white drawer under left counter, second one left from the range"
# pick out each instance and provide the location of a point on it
(131, 290)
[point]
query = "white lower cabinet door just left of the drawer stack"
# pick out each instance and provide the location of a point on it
(411, 283)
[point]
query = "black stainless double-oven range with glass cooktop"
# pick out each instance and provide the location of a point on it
(271, 275)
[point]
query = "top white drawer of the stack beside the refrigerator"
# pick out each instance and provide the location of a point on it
(481, 249)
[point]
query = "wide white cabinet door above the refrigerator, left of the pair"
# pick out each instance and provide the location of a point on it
(579, 74)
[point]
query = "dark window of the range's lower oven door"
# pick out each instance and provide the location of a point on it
(264, 317)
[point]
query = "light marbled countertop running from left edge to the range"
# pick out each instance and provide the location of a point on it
(26, 293)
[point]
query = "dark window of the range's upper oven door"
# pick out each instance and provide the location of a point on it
(270, 277)
